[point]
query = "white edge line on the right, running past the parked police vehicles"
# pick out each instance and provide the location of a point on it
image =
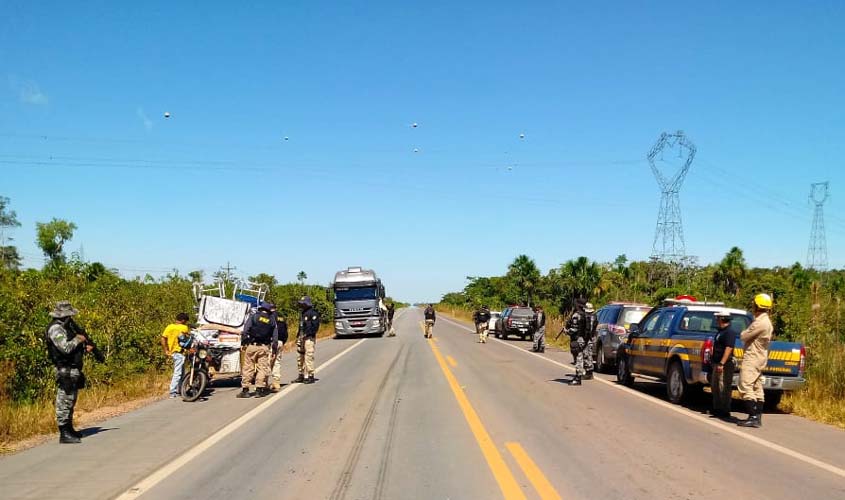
(682, 411)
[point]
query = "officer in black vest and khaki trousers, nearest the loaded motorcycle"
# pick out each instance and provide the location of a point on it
(259, 343)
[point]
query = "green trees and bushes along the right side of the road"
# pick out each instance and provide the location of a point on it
(808, 306)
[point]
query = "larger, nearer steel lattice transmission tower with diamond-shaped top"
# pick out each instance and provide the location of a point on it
(669, 237)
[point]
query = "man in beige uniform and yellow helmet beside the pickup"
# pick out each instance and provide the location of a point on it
(755, 339)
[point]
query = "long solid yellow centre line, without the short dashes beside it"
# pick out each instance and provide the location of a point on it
(504, 477)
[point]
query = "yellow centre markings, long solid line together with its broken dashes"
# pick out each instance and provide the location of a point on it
(501, 472)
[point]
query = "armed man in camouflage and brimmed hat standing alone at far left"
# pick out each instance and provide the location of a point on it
(66, 346)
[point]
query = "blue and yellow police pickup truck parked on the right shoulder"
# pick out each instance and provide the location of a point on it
(673, 344)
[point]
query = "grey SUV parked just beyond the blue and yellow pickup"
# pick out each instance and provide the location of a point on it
(614, 324)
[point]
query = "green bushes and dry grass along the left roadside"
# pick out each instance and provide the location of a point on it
(123, 316)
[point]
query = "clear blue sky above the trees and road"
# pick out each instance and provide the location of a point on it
(757, 86)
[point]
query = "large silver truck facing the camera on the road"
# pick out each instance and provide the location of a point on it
(356, 294)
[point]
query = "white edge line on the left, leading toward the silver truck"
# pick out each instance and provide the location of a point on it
(162, 473)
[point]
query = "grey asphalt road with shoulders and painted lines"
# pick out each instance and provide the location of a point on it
(410, 418)
